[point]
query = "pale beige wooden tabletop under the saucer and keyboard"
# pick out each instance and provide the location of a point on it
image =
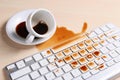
(71, 14)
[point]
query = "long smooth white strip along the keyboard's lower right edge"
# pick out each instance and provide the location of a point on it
(107, 73)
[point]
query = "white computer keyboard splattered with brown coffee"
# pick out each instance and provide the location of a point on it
(95, 58)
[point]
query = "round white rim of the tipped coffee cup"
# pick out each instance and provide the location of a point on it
(29, 23)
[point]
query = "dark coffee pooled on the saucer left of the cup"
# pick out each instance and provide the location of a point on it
(21, 30)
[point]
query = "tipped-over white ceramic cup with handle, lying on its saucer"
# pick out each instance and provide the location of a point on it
(43, 16)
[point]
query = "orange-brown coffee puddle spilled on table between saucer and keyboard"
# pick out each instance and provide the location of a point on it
(62, 37)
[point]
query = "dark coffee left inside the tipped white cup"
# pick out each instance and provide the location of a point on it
(41, 27)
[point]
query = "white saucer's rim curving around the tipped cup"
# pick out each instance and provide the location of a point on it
(15, 39)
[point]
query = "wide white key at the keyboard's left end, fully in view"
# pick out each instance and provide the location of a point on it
(20, 72)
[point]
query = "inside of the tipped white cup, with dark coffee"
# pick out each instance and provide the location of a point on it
(44, 18)
